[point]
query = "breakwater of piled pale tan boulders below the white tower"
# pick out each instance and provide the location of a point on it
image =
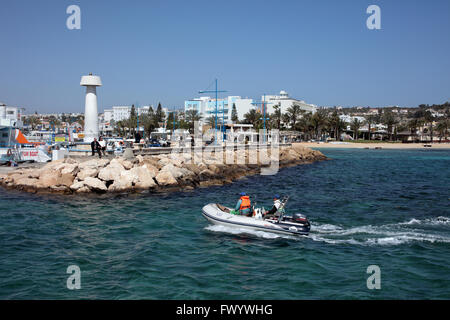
(153, 173)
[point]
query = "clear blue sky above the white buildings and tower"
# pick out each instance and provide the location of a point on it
(165, 51)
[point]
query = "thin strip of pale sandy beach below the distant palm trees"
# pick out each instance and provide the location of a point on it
(383, 145)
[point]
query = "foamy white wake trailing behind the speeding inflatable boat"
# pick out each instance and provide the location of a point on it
(431, 230)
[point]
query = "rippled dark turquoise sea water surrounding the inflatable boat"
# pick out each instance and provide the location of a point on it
(367, 207)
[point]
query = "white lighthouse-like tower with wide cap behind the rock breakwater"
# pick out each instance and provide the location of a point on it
(90, 109)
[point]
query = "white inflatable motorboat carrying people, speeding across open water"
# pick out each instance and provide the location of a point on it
(296, 224)
